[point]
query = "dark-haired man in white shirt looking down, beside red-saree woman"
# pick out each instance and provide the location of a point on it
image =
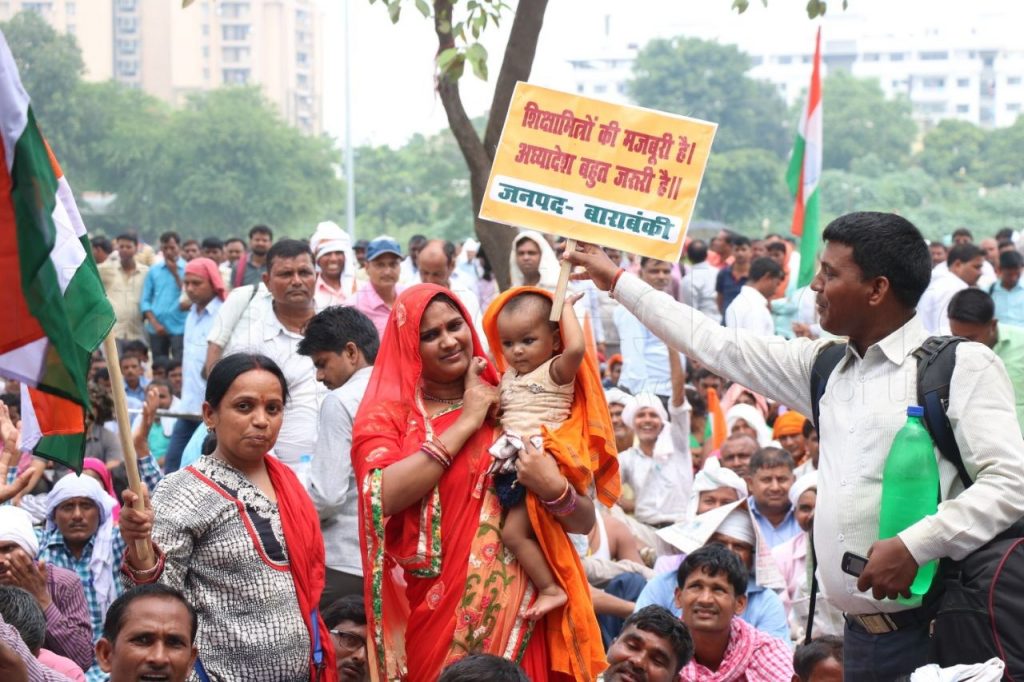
(343, 344)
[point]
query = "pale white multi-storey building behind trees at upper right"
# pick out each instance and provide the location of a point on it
(971, 70)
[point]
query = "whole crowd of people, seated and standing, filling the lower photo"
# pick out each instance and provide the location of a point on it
(364, 460)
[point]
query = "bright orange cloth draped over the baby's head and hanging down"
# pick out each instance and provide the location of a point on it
(585, 449)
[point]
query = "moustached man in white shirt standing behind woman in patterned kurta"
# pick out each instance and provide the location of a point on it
(270, 321)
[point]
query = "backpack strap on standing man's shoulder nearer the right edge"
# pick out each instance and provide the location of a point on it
(936, 359)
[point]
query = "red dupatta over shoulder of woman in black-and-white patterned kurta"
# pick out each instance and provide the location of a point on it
(301, 525)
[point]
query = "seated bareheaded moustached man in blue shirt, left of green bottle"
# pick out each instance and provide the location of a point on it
(771, 480)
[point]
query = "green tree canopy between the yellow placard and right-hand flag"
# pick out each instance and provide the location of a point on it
(708, 80)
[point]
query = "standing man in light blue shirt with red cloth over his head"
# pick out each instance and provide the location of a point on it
(206, 290)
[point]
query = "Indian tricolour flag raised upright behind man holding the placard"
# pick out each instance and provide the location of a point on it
(804, 174)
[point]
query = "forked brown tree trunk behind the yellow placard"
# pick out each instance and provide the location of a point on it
(496, 239)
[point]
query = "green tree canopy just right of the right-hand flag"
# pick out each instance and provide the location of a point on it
(860, 120)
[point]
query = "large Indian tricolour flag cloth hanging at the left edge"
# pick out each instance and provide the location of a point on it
(54, 311)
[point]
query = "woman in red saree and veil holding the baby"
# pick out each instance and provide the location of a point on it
(439, 582)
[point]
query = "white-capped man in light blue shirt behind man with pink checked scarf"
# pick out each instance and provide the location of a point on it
(737, 533)
